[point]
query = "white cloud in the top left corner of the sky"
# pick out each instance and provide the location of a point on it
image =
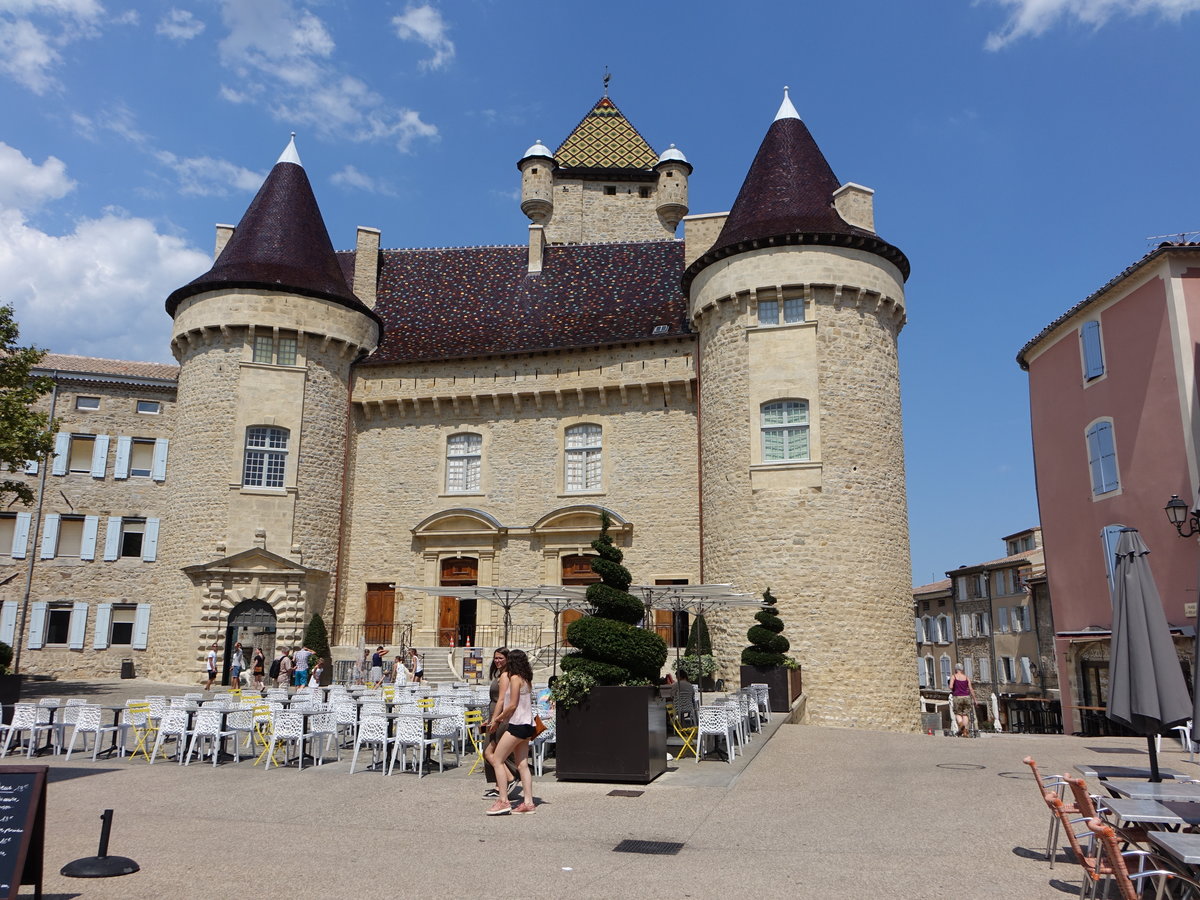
(29, 50)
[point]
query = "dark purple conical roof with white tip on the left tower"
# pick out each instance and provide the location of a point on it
(281, 244)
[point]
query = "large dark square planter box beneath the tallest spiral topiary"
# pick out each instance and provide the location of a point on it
(615, 735)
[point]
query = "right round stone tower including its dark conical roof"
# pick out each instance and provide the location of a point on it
(799, 305)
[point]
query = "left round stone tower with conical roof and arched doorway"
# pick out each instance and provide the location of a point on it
(266, 341)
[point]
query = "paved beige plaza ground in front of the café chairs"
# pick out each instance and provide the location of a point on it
(813, 813)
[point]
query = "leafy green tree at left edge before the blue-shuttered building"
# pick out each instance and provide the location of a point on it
(25, 434)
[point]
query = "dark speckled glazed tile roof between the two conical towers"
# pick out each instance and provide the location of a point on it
(472, 302)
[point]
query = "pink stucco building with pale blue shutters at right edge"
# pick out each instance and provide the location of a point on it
(1115, 418)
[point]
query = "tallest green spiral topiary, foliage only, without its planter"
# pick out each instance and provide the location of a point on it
(610, 646)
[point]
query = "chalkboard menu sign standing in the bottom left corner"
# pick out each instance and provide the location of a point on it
(22, 827)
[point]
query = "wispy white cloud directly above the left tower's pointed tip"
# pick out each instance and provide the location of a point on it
(281, 58)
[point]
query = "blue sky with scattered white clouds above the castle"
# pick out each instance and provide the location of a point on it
(1023, 152)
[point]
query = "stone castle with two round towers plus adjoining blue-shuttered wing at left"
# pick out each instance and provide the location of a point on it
(345, 424)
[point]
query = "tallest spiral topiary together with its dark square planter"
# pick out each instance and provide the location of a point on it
(611, 719)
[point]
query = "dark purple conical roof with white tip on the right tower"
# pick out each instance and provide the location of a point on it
(788, 199)
